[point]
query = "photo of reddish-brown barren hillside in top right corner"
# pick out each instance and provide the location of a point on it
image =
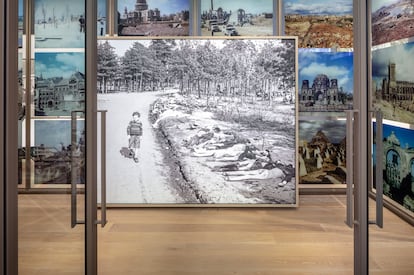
(392, 20)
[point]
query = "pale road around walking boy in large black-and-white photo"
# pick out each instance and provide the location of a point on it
(127, 181)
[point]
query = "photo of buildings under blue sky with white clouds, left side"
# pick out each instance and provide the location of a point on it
(59, 83)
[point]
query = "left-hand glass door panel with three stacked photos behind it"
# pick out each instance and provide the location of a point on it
(52, 144)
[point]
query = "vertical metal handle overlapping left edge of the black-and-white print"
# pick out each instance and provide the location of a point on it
(103, 220)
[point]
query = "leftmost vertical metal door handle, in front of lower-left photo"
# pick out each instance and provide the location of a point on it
(74, 168)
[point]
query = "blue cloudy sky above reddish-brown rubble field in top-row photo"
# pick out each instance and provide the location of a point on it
(318, 7)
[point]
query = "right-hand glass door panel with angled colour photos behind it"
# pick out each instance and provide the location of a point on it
(391, 91)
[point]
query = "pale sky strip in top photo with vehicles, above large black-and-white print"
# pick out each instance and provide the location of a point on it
(250, 6)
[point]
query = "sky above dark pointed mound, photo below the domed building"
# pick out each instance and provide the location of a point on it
(335, 130)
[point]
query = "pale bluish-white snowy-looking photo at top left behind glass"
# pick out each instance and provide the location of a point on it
(59, 24)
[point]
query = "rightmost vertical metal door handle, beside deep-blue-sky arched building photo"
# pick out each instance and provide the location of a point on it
(379, 152)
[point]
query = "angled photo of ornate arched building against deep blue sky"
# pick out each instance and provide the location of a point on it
(398, 164)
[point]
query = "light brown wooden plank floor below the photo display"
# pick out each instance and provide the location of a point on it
(311, 239)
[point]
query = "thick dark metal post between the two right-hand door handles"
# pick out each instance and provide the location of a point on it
(361, 137)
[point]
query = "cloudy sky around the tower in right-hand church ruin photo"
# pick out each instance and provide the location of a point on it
(403, 57)
